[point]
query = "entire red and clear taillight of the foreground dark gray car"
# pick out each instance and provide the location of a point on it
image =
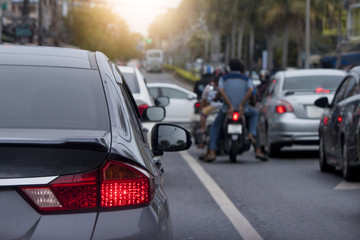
(119, 185)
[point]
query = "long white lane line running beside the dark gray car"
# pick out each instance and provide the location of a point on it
(242, 225)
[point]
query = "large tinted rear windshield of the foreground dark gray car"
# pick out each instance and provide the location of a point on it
(52, 98)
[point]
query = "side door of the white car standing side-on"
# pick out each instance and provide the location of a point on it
(180, 108)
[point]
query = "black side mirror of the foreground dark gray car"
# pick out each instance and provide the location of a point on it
(169, 138)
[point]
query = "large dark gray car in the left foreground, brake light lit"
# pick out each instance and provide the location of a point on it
(74, 162)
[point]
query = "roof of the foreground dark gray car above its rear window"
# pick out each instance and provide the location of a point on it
(46, 56)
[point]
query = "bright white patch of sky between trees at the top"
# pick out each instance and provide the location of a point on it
(139, 14)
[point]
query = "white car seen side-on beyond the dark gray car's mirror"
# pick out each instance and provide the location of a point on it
(182, 100)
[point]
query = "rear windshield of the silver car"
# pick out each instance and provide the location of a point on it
(312, 83)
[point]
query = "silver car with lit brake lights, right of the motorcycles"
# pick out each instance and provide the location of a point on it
(287, 114)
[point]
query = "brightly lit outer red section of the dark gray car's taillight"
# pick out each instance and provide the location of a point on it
(124, 186)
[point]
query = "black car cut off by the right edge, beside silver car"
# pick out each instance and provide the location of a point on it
(339, 128)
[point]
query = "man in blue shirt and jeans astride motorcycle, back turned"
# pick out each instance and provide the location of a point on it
(235, 89)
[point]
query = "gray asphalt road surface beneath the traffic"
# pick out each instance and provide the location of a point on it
(284, 198)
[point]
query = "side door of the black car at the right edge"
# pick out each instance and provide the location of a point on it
(331, 130)
